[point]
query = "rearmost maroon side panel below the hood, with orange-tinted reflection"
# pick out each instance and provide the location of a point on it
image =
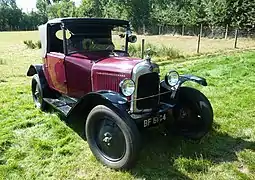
(55, 69)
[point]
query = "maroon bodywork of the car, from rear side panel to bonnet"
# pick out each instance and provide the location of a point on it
(82, 73)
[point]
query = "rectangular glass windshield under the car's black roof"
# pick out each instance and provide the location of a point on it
(91, 39)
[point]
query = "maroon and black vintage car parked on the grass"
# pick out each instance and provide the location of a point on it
(93, 81)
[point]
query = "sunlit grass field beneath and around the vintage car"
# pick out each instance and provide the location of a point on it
(37, 145)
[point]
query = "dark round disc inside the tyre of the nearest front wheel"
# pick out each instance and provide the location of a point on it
(110, 140)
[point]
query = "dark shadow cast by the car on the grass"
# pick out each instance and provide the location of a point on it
(161, 155)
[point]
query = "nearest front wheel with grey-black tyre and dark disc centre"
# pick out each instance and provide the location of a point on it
(113, 140)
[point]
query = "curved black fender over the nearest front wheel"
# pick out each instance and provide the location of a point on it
(115, 101)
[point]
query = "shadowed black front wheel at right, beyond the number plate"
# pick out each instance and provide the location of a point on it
(193, 114)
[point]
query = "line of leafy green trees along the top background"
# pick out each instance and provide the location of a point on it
(144, 13)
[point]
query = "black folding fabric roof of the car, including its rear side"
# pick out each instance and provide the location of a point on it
(77, 25)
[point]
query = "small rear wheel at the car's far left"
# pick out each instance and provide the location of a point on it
(38, 93)
